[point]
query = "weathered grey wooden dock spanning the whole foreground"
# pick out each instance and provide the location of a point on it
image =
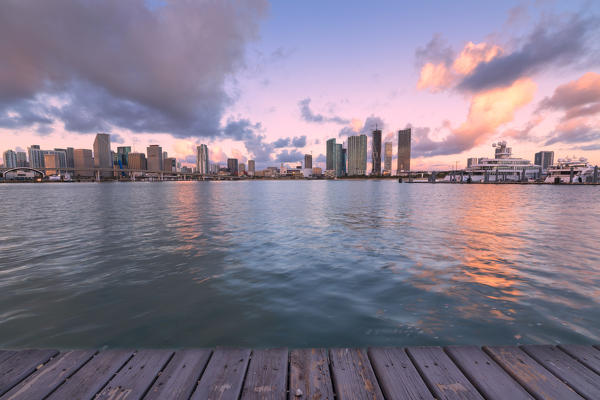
(504, 372)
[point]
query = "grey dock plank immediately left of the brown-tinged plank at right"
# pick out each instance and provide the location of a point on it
(487, 376)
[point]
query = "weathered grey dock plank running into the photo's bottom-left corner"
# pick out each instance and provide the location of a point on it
(46, 379)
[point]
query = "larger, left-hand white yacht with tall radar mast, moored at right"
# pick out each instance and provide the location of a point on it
(503, 167)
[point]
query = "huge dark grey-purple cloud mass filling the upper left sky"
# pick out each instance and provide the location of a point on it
(122, 64)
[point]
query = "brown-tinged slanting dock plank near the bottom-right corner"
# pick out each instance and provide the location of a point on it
(532, 376)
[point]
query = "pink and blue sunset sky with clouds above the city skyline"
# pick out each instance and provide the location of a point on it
(272, 81)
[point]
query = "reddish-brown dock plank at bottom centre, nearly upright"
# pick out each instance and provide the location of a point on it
(309, 375)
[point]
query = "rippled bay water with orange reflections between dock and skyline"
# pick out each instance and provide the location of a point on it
(323, 263)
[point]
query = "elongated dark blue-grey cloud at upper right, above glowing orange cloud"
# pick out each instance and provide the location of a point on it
(551, 44)
